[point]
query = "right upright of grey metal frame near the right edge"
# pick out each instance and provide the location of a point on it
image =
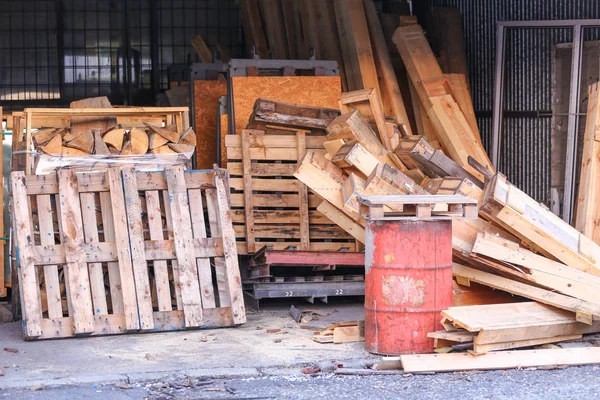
(571, 157)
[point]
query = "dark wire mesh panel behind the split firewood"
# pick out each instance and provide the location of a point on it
(57, 51)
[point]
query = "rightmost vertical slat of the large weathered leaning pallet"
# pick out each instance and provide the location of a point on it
(232, 269)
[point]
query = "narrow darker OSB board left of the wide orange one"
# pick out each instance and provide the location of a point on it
(206, 100)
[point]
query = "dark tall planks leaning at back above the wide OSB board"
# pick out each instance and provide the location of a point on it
(348, 31)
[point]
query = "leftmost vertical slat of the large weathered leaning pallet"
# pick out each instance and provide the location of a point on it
(29, 288)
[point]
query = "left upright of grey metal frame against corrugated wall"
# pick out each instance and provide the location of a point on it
(498, 95)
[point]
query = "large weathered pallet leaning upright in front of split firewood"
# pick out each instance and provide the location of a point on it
(123, 278)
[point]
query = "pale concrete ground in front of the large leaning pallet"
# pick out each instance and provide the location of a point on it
(247, 350)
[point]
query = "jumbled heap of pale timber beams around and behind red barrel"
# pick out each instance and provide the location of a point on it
(516, 245)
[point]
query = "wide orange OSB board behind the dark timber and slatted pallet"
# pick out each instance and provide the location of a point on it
(318, 91)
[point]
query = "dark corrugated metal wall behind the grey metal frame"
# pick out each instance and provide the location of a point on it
(528, 124)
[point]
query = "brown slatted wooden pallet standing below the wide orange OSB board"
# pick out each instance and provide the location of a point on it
(269, 205)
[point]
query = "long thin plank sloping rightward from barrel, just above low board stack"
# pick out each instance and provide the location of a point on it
(586, 312)
